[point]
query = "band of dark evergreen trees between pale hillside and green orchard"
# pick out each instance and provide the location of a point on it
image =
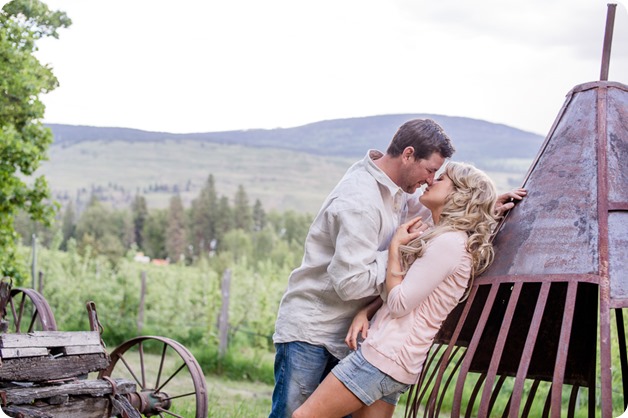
(210, 225)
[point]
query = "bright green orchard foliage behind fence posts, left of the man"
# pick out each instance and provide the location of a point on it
(182, 302)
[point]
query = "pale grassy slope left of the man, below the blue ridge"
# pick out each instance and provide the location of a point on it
(279, 178)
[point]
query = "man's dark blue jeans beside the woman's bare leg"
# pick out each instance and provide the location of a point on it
(299, 368)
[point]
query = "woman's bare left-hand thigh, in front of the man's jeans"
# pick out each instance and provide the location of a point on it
(331, 399)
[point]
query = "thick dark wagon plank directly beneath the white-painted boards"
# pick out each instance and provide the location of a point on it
(39, 369)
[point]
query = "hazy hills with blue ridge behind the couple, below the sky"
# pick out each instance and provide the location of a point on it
(285, 168)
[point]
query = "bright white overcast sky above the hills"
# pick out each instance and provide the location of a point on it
(209, 65)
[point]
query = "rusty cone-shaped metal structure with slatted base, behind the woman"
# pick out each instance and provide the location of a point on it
(529, 330)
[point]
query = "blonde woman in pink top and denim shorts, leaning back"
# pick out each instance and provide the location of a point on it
(427, 276)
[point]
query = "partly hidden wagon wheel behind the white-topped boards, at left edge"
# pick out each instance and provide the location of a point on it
(28, 311)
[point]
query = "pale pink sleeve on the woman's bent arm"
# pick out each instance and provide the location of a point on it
(441, 258)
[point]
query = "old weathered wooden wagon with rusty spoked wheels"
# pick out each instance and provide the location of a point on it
(47, 373)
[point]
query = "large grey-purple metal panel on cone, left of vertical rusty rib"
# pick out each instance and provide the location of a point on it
(554, 230)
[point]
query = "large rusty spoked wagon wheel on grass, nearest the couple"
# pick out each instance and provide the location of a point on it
(170, 381)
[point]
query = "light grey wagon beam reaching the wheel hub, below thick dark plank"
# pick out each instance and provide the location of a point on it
(92, 387)
